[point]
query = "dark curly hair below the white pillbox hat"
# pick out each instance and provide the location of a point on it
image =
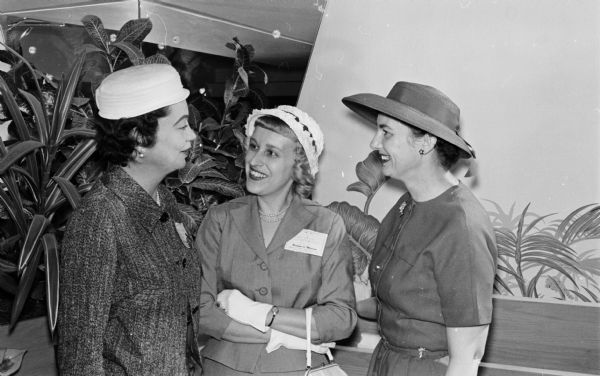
(117, 139)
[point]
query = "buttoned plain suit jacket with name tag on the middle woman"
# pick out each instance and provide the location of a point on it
(234, 257)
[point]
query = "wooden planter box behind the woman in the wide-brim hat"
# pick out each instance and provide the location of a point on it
(527, 337)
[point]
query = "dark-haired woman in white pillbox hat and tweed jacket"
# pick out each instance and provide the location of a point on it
(130, 282)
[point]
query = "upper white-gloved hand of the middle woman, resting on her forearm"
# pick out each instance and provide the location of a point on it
(244, 310)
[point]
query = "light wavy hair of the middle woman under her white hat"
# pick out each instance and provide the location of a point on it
(303, 181)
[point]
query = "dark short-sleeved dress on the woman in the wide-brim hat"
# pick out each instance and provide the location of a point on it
(433, 267)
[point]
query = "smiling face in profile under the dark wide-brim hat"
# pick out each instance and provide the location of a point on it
(397, 147)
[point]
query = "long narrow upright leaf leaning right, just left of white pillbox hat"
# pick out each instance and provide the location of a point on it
(63, 99)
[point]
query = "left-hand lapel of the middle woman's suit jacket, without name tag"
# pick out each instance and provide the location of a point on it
(247, 221)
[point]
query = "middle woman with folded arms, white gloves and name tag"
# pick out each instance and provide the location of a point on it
(268, 256)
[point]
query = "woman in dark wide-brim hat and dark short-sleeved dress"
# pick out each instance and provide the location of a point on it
(433, 266)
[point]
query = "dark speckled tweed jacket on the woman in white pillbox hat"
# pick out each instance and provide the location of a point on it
(129, 286)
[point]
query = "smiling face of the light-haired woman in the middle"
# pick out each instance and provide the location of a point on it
(270, 159)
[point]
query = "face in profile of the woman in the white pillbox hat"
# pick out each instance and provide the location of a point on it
(174, 138)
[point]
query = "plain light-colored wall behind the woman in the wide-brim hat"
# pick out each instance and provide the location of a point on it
(526, 75)
